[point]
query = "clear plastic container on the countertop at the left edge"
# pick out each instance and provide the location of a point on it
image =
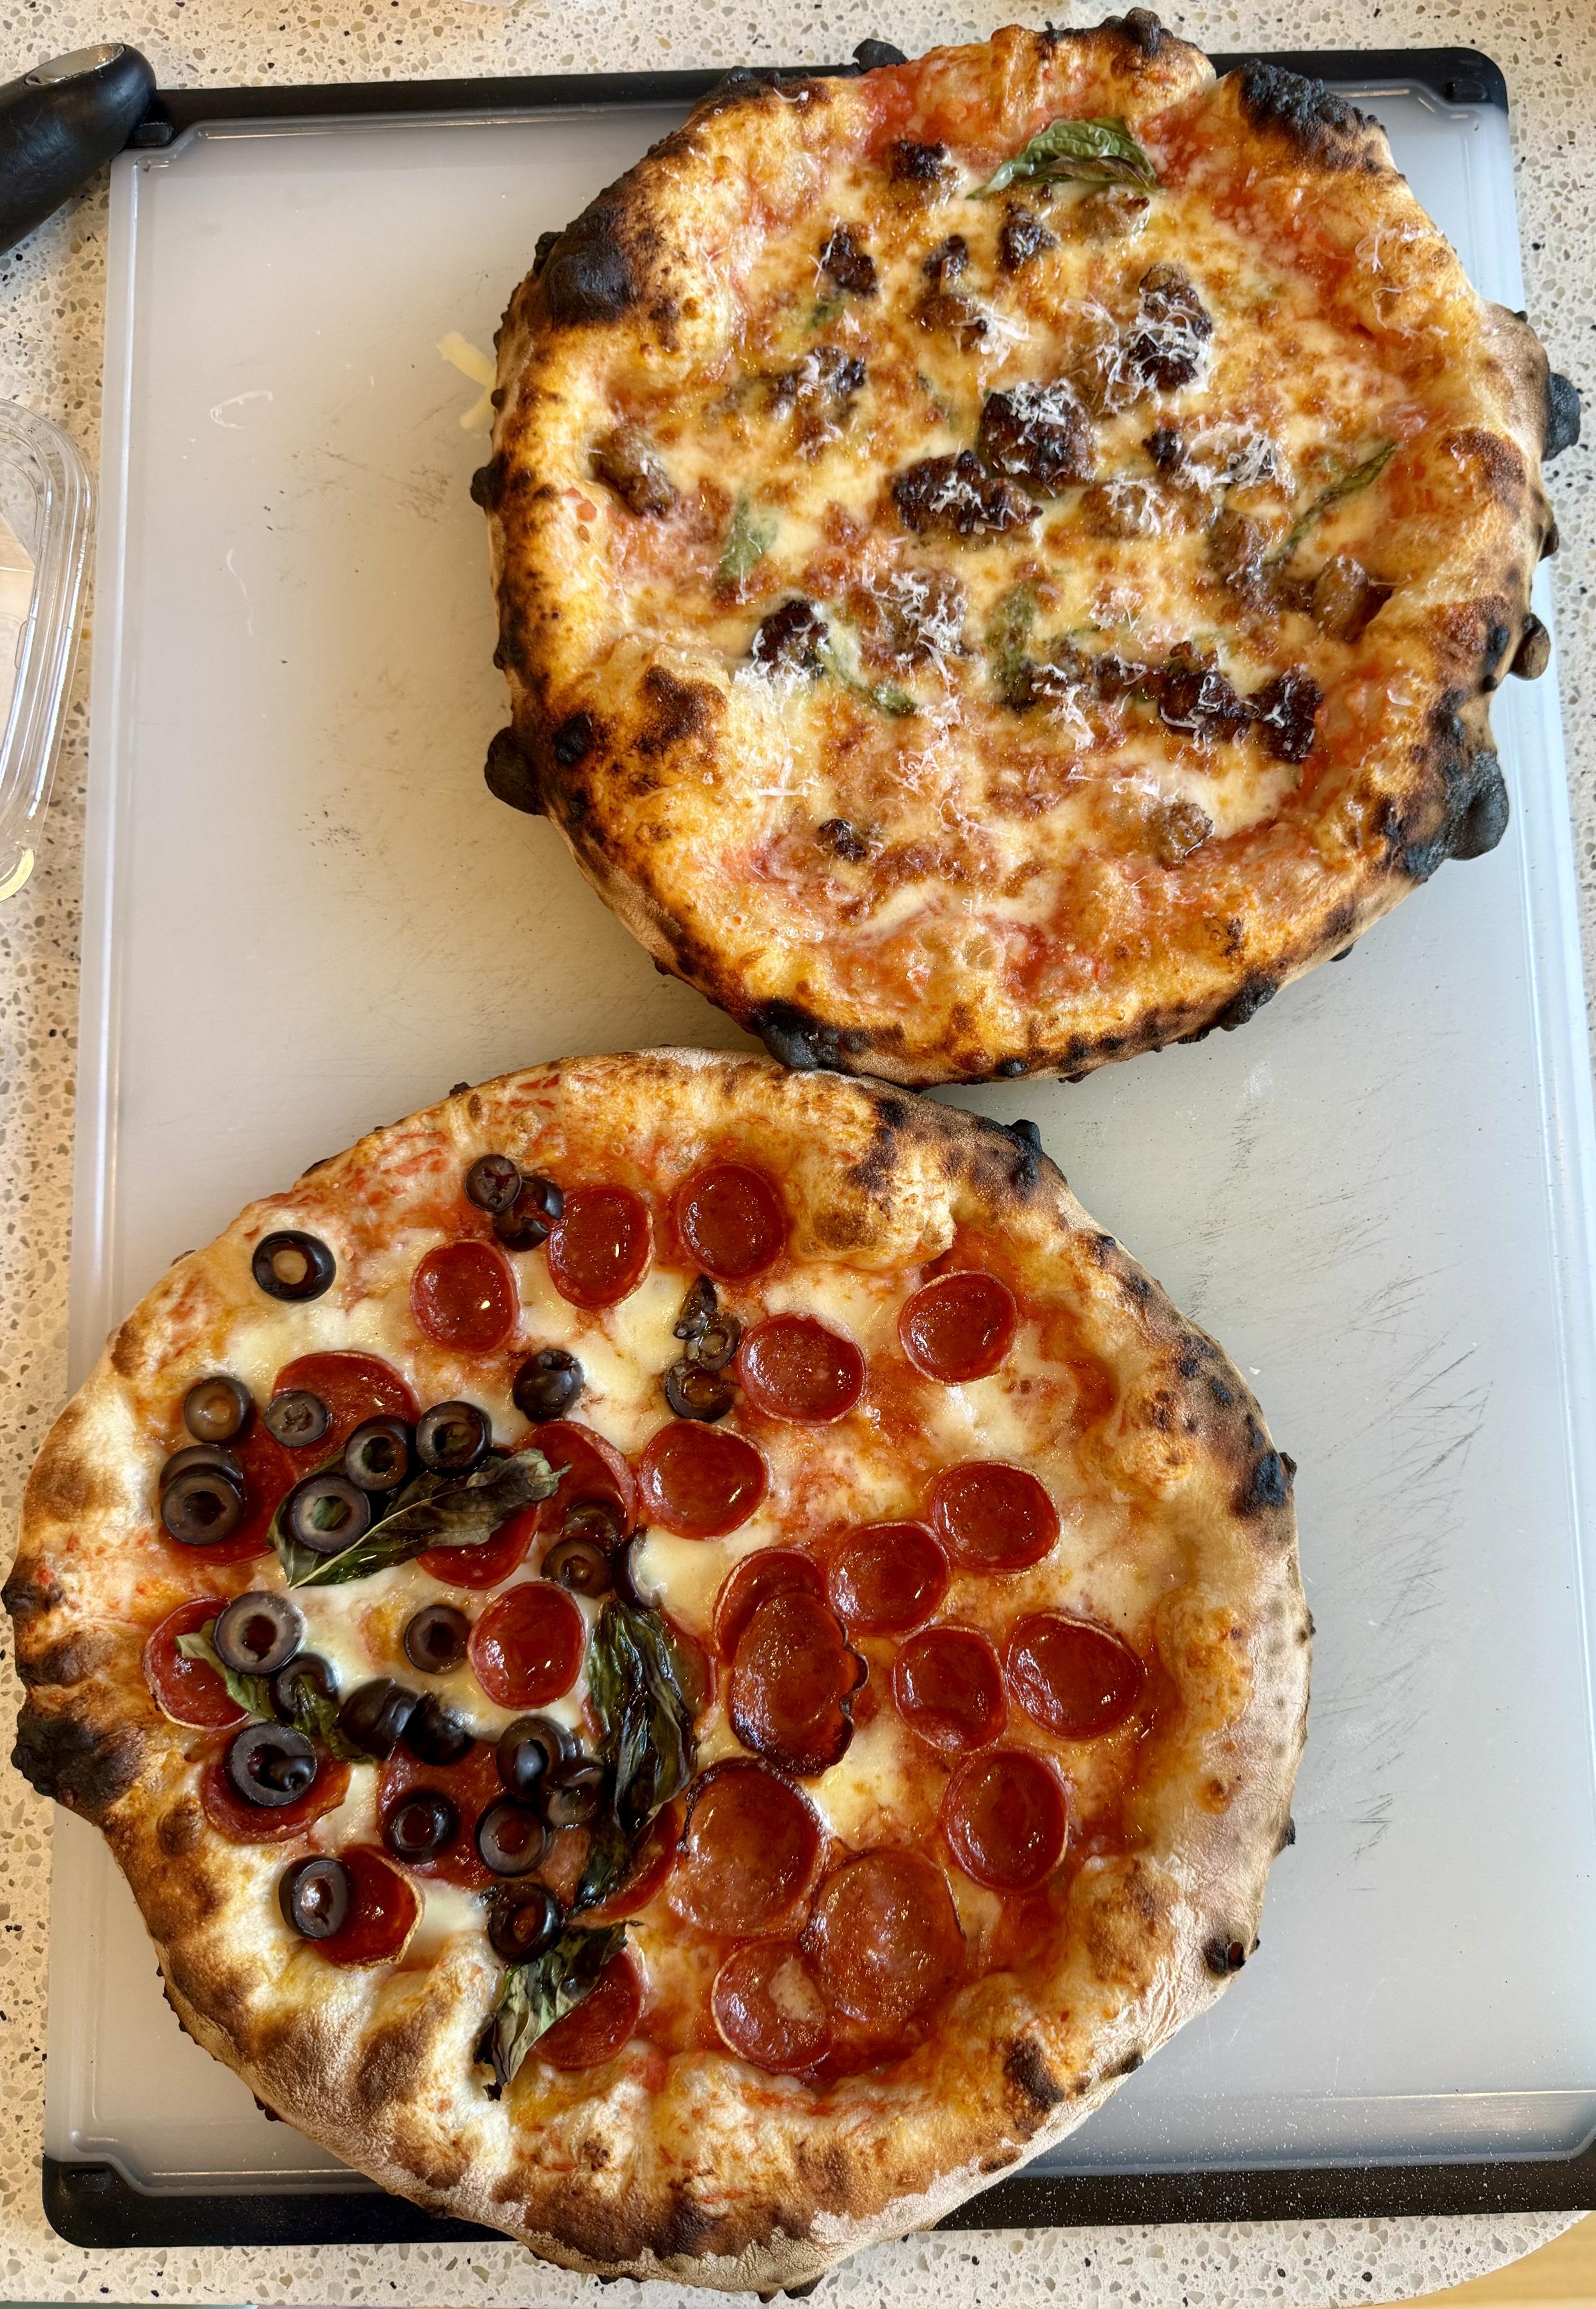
(45, 528)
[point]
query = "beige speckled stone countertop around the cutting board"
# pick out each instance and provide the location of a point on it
(52, 359)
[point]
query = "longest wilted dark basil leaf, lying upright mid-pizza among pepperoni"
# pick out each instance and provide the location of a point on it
(636, 1691)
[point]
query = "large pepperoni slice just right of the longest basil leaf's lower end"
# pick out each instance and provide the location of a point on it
(749, 1855)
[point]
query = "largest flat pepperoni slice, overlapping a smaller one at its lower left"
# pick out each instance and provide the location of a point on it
(888, 1938)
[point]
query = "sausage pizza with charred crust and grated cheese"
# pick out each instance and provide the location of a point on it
(974, 888)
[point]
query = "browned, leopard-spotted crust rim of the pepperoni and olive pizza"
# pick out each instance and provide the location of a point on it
(694, 2167)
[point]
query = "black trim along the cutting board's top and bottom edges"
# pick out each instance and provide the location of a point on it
(91, 2204)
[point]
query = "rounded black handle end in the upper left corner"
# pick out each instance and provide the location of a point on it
(61, 124)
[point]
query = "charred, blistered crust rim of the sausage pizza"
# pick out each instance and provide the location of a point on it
(655, 756)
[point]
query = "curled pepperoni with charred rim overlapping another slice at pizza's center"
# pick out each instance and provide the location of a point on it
(793, 1680)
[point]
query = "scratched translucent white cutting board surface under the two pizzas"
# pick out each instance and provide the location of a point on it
(306, 916)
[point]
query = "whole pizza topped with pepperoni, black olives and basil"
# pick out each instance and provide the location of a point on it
(683, 1659)
